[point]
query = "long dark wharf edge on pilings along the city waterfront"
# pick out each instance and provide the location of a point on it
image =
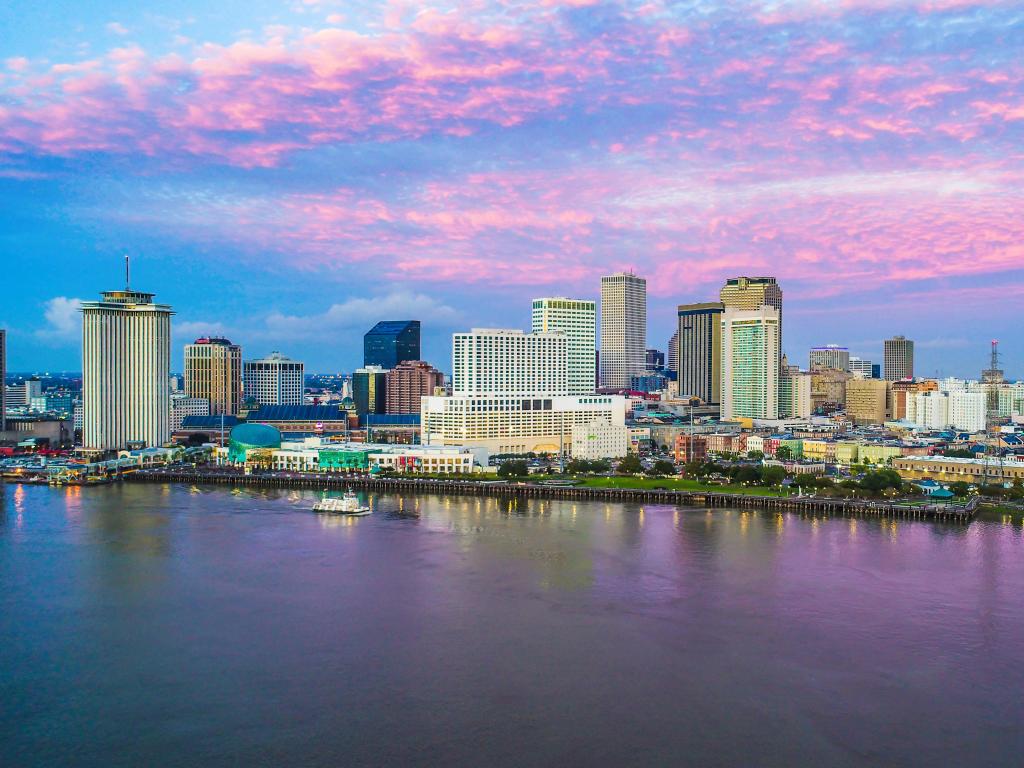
(807, 505)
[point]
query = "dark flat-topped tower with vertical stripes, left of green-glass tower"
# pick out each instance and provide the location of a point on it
(700, 352)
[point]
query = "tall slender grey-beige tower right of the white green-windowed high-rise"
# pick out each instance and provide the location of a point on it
(624, 328)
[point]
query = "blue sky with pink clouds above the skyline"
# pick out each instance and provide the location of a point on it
(288, 174)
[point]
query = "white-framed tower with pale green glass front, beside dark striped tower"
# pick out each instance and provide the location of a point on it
(750, 363)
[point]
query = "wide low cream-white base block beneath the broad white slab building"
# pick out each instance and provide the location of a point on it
(507, 424)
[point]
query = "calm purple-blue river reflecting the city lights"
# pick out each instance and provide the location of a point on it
(175, 626)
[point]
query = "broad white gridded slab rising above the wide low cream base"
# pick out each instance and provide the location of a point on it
(509, 362)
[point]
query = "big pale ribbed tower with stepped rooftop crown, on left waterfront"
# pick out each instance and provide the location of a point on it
(126, 362)
